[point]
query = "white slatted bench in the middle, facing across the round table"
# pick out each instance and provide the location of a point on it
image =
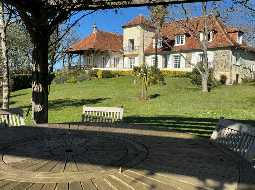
(102, 114)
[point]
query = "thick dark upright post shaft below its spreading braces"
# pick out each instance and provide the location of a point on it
(40, 79)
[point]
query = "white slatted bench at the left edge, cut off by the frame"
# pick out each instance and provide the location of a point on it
(12, 117)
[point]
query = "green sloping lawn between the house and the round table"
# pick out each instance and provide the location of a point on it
(178, 105)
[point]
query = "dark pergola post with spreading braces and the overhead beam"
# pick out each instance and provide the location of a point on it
(41, 19)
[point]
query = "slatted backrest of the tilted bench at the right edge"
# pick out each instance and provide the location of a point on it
(238, 137)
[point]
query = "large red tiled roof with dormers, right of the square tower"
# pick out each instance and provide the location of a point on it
(191, 29)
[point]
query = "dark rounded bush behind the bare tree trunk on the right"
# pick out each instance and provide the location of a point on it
(196, 77)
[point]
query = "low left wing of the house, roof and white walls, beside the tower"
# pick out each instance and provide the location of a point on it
(100, 50)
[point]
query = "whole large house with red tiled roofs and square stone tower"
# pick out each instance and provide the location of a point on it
(179, 47)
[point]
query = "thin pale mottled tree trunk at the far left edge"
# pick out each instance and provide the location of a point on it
(5, 66)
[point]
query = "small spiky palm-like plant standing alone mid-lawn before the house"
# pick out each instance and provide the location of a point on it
(147, 76)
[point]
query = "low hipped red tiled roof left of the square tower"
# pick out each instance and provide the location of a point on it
(99, 40)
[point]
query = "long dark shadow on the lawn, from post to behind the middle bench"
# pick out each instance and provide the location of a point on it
(62, 103)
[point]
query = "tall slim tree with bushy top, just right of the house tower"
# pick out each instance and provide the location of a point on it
(158, 15)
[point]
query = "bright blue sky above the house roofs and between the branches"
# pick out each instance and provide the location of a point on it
(112, 20)
